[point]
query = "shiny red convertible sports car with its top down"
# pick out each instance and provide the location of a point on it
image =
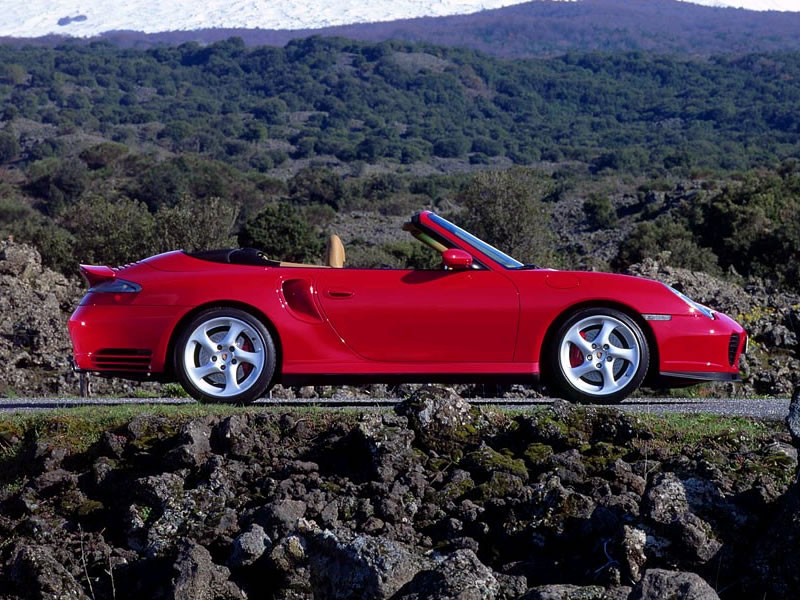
(228, 324)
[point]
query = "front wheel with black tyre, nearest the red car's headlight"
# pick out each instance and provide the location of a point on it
(599, 355)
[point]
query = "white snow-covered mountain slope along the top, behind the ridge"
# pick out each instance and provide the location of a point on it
(85, 18)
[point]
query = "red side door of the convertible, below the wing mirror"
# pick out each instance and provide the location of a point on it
(410, 316)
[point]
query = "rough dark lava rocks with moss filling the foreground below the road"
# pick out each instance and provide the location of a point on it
(436, 499)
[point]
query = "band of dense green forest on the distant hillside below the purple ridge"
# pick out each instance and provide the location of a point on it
(406, 103)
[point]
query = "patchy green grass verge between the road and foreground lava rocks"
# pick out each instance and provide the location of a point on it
(716, 438)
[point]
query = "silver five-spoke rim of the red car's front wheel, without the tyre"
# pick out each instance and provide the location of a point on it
(599, 355)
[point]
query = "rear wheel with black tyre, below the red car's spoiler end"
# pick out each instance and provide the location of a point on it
(225, 355)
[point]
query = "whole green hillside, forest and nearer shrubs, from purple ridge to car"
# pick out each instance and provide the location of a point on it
(195, 146)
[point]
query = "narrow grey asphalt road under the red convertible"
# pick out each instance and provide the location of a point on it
(762, 408)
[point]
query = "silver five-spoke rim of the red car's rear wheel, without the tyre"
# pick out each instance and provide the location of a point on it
(224, 357)
